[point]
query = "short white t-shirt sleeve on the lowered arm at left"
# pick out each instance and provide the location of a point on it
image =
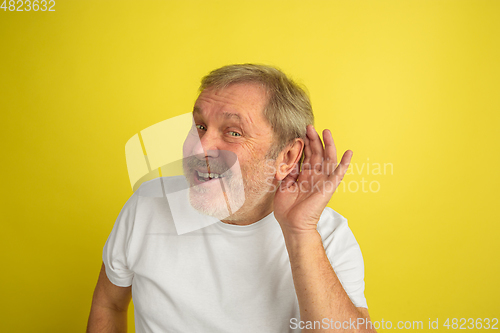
(115, 250)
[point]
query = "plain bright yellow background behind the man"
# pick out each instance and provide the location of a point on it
(411, 83)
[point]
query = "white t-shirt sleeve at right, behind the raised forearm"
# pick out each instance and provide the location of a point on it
(344, 254)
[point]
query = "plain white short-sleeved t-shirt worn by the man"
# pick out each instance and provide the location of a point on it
(219, 278)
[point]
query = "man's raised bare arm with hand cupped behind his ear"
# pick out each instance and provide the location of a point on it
(298, 205)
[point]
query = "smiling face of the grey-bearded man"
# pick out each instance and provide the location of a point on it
(230, 126)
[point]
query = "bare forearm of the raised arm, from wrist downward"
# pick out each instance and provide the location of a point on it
(319, 291)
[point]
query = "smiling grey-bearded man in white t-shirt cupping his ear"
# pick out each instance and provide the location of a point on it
(264, 267)
